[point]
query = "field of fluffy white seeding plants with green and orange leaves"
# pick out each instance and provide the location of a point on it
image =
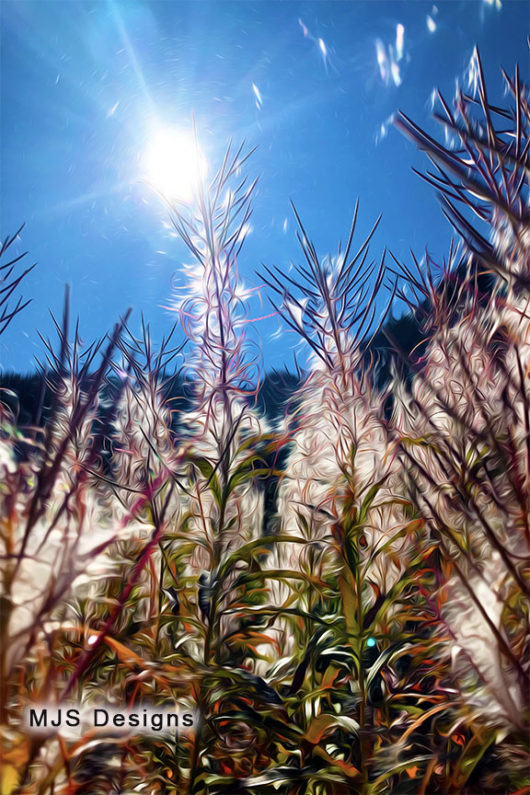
(323, 579)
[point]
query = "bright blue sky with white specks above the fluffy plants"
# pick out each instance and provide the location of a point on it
(82, 84)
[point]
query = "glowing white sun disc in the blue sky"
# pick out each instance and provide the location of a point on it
(174, 164)
